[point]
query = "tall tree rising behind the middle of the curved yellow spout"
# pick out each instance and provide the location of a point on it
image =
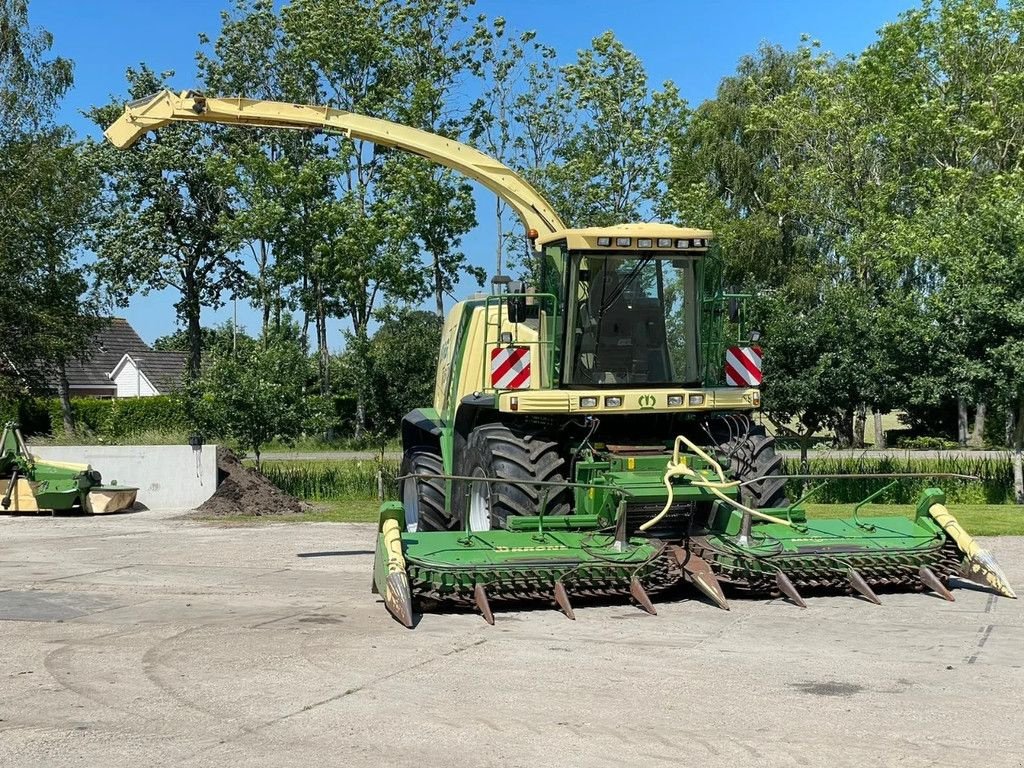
(391, 60)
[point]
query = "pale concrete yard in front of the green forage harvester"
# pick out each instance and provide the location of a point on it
(144, 639)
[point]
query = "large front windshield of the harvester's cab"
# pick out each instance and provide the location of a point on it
(634, 321)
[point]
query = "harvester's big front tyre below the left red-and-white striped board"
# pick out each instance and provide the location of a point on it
(495, 451)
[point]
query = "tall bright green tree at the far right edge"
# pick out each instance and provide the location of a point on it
(949, 78)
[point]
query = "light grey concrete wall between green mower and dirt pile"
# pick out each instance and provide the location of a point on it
(167, 477)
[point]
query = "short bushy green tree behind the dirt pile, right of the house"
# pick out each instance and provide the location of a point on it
(260, 394)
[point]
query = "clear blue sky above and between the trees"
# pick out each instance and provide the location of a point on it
(693, 44)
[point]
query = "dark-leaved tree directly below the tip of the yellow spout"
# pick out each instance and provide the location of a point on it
(163, 221)
